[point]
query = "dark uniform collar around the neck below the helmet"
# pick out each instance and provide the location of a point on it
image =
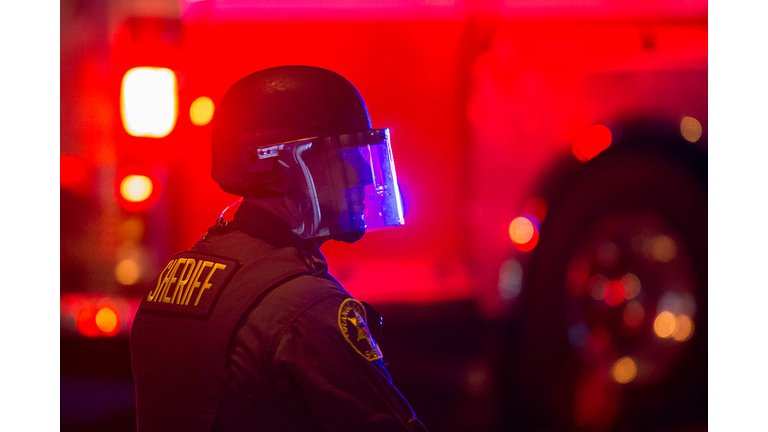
(260, 223)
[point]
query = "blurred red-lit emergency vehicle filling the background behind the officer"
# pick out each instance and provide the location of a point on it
(552, 273)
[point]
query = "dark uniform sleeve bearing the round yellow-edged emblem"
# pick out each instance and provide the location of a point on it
(344, 389)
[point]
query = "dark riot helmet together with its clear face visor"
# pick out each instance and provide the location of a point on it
(303, 133)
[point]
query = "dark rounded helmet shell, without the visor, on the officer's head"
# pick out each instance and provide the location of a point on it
(277, 105)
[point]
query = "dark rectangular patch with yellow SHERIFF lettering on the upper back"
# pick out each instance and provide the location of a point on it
(190, 284)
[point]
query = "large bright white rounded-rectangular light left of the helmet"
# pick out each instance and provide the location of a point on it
(148, 101)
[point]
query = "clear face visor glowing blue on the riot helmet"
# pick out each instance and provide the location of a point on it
(339, 184)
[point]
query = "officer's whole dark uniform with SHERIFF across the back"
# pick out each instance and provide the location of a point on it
(247, 331)
